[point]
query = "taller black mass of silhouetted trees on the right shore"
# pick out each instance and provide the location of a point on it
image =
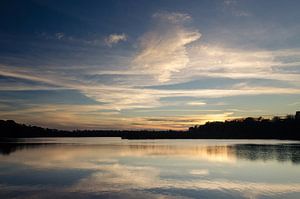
(250, 128)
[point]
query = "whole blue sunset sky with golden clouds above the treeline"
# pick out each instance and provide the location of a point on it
(147, 64)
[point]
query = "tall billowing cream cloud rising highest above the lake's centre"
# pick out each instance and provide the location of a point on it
(163, 50)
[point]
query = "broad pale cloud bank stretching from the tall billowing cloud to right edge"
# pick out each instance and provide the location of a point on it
(220, 61)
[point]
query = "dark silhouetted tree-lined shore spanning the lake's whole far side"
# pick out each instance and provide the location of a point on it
(287, 128)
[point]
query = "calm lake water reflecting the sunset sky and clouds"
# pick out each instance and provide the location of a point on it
(115, 168)
